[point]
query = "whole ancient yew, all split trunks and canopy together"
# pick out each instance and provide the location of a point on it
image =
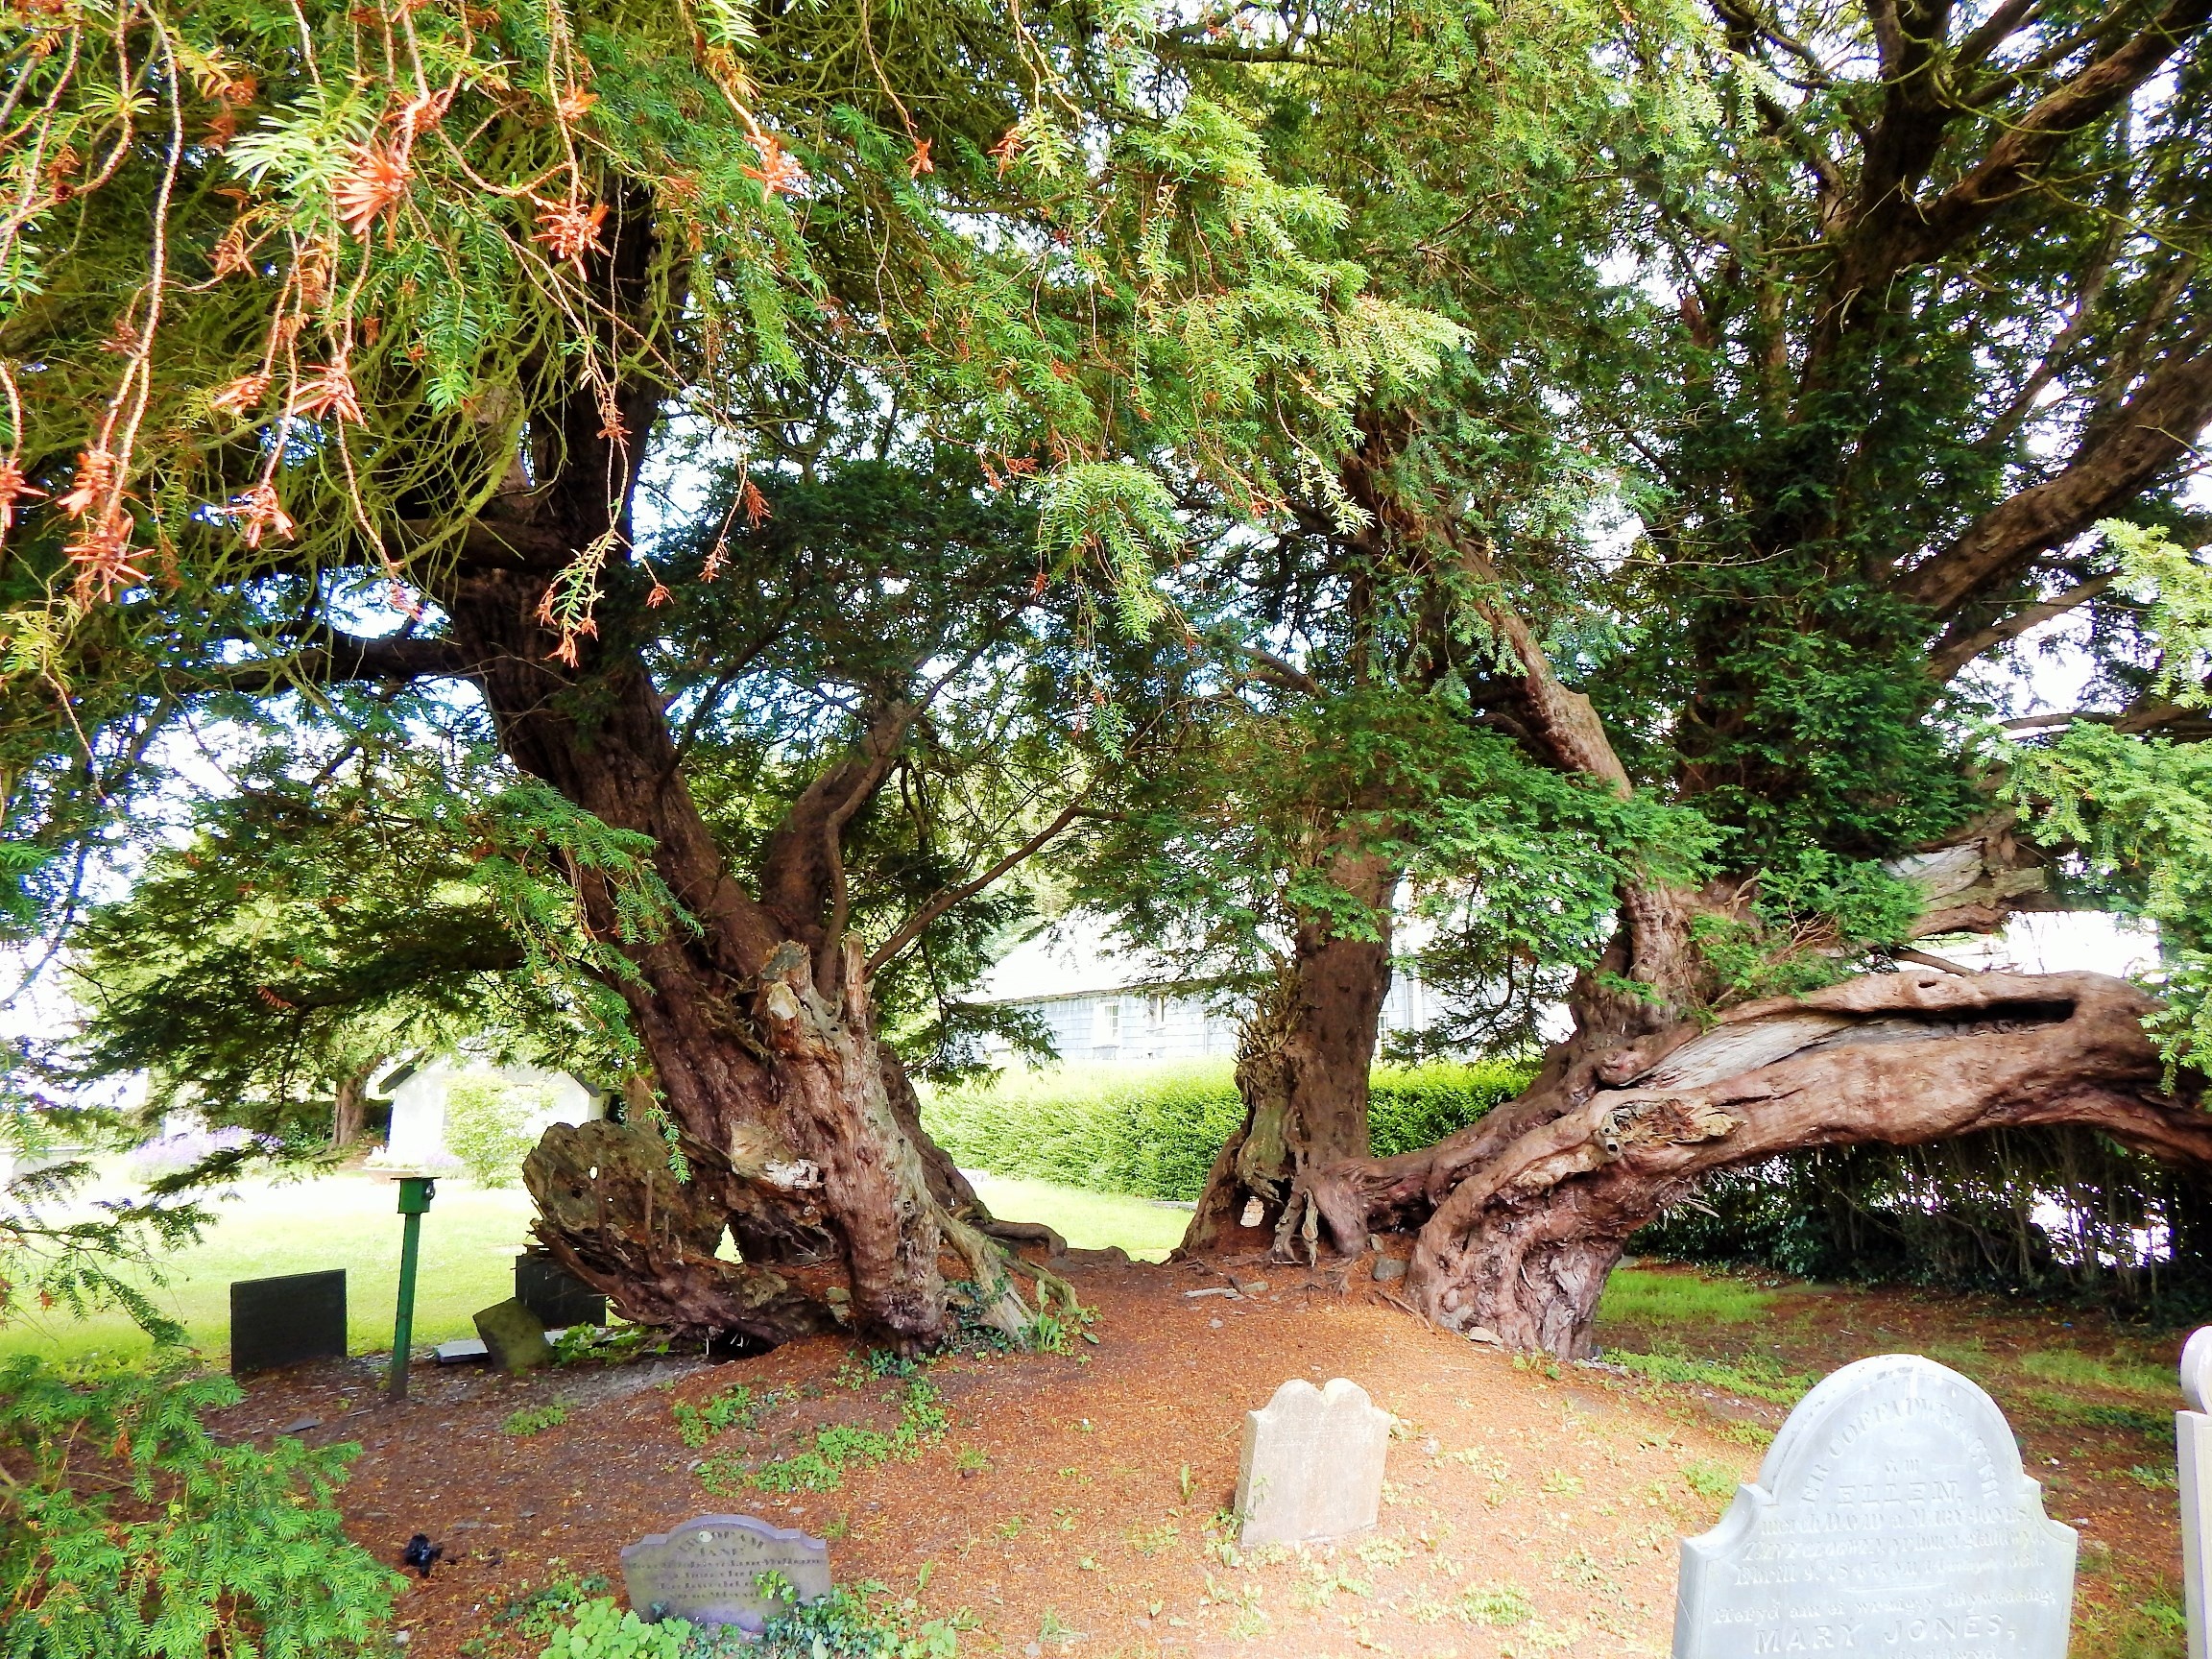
(1592, 474)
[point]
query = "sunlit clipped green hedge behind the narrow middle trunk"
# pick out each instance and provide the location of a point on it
(1154, 1131)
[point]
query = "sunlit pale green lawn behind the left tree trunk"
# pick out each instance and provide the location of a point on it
(470, 1242)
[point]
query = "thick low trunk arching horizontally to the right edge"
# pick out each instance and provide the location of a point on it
(1523, 1215)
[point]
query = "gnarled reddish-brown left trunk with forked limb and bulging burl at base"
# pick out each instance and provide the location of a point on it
(755, 1016)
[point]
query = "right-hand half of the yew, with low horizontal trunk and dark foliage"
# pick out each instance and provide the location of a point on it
(1861, 322)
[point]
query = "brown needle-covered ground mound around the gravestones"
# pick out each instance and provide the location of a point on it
(1074, 1503)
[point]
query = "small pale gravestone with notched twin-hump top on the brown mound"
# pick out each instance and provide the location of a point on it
(1313, 1465)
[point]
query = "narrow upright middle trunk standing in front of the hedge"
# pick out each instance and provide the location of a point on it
(1302, 1072)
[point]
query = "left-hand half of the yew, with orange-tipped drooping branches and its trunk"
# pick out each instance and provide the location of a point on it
(340, 346)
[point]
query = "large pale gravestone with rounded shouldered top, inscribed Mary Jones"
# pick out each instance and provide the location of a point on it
(1890, 1519)
